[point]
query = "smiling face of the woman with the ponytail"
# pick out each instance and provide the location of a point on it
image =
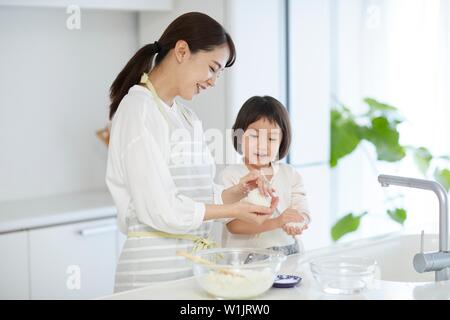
(199, 71)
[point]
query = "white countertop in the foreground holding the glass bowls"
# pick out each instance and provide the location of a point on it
(187, 289)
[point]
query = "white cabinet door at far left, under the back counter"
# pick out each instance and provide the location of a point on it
(14, 266)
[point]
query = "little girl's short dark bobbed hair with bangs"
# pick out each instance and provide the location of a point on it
(264, 107)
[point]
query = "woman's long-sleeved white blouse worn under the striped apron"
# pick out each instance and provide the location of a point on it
(138, 174)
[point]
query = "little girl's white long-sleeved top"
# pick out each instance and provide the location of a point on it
(289, 187)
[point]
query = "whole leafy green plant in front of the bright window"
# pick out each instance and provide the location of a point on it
(378, 125)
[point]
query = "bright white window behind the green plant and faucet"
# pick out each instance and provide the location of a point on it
(396, 51)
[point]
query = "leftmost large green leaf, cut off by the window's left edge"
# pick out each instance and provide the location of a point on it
(345, 135)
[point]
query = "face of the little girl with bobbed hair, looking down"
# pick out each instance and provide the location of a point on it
(261, 142)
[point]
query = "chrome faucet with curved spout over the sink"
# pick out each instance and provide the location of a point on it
(430, 261)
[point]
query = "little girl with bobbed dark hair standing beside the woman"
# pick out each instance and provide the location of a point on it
(262, 134)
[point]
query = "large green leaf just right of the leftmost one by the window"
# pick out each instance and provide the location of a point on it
(385, 137)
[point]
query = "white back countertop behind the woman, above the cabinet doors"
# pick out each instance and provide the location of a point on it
(42, 212)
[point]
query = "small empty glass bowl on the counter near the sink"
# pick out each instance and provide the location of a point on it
(344, 275)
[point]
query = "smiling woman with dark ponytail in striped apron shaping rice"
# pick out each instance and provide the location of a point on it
(163, 185)
